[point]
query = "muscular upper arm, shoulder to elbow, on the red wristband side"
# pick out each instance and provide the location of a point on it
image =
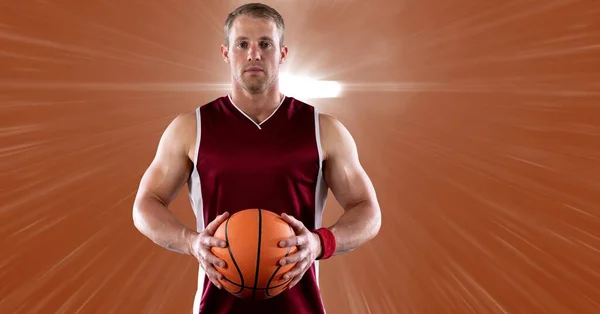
(343, 171)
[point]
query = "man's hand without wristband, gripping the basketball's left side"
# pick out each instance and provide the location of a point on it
(201, 244)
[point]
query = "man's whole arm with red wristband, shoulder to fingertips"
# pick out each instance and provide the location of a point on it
(353, 190)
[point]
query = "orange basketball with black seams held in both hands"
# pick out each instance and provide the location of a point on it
(252, 254)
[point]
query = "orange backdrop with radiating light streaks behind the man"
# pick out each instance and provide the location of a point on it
(478, 122)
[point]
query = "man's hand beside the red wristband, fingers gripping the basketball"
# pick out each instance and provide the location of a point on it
(309, 248)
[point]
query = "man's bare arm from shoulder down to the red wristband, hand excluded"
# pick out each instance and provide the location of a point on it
(351, 187)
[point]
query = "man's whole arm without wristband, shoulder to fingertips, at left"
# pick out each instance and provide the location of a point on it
(160, 184)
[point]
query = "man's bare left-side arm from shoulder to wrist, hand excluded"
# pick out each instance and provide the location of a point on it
(161, 183)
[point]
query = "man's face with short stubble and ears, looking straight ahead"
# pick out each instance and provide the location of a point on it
(254, 53)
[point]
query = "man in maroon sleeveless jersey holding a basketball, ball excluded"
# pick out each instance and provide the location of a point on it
(257, 148)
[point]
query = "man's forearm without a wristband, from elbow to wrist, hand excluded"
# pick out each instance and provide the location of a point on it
(154, 220)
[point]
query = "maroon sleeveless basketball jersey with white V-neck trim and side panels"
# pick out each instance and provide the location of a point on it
(275, 165)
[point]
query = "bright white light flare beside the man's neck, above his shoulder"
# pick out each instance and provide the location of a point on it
(303, 87)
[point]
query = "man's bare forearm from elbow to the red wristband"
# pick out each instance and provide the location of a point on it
(358, 225)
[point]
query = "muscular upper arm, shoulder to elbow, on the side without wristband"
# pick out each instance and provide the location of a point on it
(171, 166)
